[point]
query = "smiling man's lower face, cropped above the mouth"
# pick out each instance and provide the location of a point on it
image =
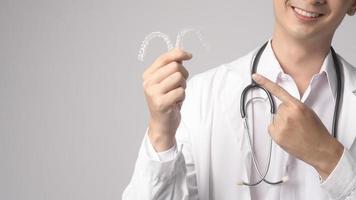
(310, 20)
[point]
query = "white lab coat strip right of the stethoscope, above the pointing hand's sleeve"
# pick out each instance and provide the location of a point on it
(347, 125)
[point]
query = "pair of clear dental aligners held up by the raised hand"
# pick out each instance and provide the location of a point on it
(179, 40)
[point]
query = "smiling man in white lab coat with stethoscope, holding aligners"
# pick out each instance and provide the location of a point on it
(200, 149)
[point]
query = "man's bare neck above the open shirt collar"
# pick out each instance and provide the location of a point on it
(300, 58)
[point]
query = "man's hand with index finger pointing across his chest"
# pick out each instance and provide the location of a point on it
(299, 131)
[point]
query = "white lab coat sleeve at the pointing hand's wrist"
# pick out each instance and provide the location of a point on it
(341, 183)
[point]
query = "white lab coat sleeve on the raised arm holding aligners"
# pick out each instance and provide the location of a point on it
(171, 174)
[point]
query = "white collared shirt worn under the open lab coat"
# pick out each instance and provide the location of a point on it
(319, 96)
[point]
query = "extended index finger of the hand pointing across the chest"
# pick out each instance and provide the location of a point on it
(274, 89)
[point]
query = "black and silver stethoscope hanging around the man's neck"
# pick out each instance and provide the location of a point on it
(254, 85)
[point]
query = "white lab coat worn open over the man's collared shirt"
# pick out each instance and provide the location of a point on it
(213, 157)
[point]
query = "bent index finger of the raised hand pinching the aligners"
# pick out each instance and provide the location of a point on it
(176, 55)
